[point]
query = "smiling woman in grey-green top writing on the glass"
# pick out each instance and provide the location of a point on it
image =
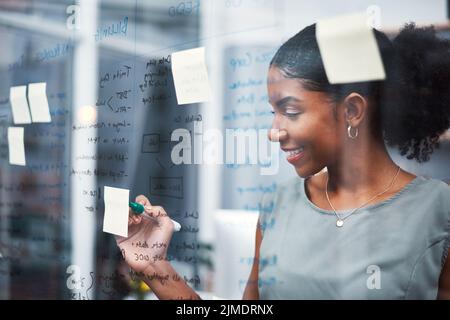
(365, 228)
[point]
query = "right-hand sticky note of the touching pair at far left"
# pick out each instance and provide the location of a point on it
(37, 97)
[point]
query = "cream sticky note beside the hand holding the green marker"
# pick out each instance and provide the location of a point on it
(115, 220)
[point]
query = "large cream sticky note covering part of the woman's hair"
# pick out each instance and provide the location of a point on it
(349, 49)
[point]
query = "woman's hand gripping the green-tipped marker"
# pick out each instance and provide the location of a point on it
(148, 239)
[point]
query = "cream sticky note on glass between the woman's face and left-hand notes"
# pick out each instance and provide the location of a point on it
(190, 76)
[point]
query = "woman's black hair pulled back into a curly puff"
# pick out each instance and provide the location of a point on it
(412, 103)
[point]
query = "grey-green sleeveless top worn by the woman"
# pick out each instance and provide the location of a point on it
(394, 249)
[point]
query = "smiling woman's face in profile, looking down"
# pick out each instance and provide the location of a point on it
(308, 128)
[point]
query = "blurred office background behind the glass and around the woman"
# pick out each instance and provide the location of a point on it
(113, 106)
